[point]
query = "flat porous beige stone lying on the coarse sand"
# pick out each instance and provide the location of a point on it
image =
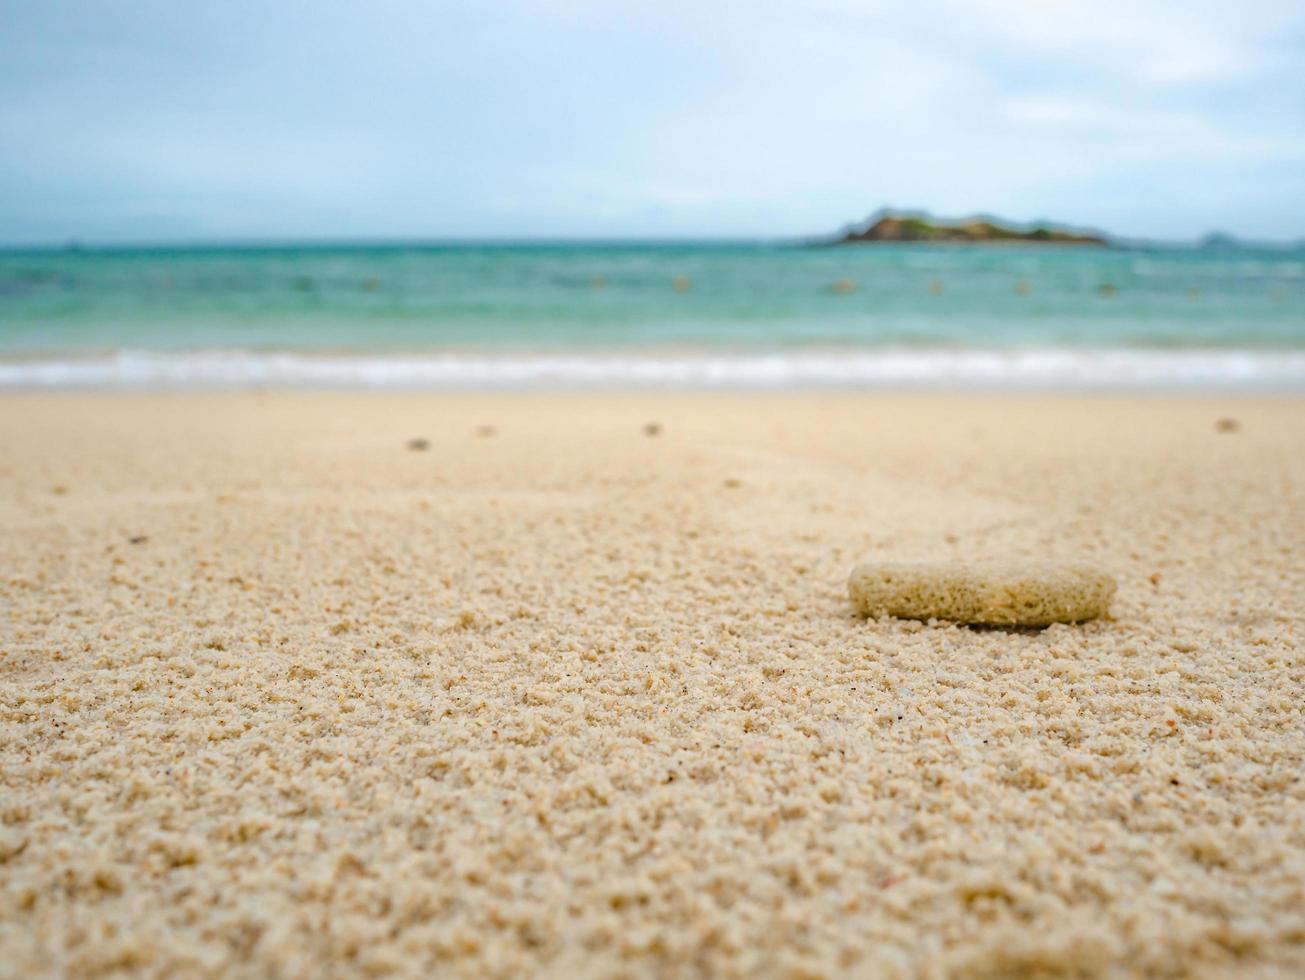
(994, 594)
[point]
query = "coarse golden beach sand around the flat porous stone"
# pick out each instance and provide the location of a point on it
(284, 697)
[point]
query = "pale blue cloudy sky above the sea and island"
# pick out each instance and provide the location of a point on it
(155, 122)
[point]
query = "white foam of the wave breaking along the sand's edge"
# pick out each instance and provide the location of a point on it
(1046, 369)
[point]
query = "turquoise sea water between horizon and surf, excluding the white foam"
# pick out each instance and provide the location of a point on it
(653, 302)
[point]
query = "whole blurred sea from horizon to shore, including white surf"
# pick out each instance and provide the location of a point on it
(653, 315)
